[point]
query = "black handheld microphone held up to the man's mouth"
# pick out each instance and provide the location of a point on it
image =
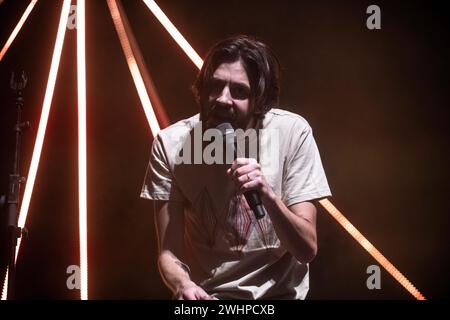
(252, 196)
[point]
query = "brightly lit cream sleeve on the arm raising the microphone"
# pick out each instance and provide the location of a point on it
(303, 174)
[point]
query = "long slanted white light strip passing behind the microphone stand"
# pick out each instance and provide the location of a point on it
(43, 120)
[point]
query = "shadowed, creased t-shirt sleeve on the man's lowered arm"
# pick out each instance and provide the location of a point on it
(159, 183)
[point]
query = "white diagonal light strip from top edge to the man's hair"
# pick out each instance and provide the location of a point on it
(176, 35)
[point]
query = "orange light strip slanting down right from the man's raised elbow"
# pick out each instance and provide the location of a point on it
(371, 249)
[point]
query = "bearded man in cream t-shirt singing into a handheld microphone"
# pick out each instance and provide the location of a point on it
(211, 245)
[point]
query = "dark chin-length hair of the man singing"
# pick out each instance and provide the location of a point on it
(260, 63)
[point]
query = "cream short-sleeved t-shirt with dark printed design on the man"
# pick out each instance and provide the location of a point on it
(231, 254)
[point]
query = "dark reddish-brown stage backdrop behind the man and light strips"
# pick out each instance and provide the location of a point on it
(377, 100)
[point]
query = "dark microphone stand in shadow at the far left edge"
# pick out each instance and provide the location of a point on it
(15, 180)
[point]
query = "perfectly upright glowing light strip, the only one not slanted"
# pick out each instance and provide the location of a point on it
(82, 148)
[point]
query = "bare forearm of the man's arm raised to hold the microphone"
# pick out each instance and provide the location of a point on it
(296, 234)
